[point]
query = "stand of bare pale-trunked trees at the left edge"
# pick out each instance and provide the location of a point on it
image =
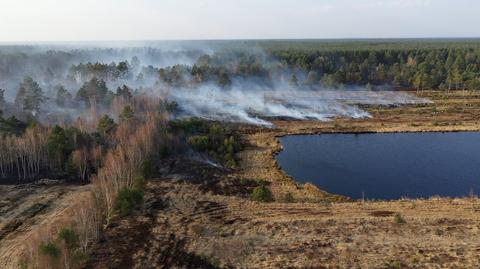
(57, 152)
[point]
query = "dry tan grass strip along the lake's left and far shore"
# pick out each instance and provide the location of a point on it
(447, 113)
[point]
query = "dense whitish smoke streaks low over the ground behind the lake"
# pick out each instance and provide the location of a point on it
(240, 104)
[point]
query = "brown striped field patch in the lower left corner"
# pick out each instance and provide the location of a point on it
(26, 209)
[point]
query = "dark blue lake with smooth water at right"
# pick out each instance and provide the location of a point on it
(386, 166)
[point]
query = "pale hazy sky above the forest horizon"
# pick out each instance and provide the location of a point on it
(70, 20)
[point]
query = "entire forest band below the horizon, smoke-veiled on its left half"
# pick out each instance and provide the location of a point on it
(412, 63)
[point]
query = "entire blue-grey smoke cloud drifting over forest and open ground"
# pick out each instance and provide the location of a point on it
(249, 99)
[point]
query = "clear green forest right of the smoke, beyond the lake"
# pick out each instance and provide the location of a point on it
(419, 69)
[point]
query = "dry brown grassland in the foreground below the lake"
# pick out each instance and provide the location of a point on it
(184, 227)
